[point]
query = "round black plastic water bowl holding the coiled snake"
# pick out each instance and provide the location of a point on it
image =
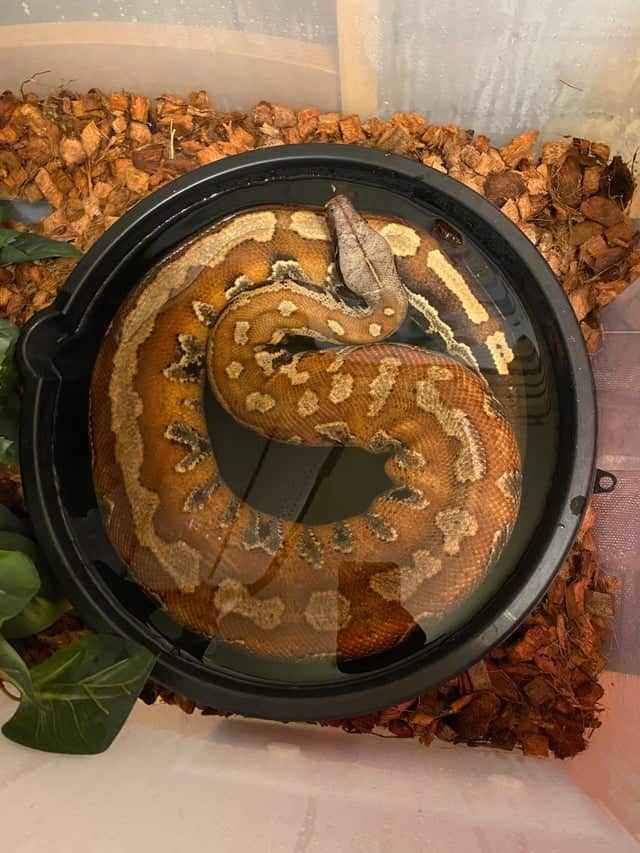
(58, 351)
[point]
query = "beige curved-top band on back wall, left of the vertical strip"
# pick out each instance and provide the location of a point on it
(236, 68)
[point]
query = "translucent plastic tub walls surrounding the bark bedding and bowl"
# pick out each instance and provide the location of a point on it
(173, 782)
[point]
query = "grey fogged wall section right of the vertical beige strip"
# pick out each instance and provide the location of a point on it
(504, 65)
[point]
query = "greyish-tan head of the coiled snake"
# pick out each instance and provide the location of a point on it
(365, 258)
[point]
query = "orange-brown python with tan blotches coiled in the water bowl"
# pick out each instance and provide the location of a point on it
(222, 309)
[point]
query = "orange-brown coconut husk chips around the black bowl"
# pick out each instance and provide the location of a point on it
(91, 156)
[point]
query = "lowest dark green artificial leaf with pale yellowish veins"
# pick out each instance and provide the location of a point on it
(83, 696)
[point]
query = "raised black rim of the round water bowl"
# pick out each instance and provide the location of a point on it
(241, 693)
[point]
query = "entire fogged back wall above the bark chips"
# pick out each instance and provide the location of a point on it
(497, 66)
